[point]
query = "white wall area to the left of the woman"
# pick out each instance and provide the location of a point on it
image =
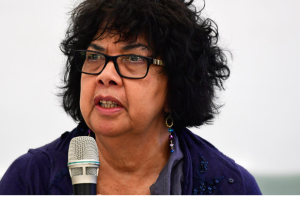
(31, 66)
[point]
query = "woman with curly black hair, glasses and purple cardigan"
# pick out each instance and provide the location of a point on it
(138, 73)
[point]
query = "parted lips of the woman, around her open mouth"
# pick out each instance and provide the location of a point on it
(107, 111)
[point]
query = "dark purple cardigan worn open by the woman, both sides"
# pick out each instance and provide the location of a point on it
(44, 172)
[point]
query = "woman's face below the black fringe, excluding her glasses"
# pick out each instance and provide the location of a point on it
(141, 102)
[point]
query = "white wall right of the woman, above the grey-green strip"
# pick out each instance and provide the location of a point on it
(259, 125)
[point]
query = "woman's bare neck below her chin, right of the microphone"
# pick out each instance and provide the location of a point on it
(135, 153)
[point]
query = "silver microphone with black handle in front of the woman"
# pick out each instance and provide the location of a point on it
(83, 163)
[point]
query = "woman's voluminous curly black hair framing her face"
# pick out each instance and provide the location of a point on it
(187, 42)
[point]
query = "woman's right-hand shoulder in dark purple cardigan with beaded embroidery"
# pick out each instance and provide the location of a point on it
(212, 172)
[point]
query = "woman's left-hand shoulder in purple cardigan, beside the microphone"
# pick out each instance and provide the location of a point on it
(42, 171)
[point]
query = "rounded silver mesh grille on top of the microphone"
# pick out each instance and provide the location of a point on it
(83, 148)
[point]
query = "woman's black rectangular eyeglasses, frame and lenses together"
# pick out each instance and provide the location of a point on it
(128, 66)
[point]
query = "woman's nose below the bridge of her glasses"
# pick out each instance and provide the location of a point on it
(109, 76)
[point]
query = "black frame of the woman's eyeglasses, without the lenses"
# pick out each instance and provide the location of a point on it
(114, 59)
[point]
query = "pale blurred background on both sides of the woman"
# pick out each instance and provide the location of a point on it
(258, 126)
